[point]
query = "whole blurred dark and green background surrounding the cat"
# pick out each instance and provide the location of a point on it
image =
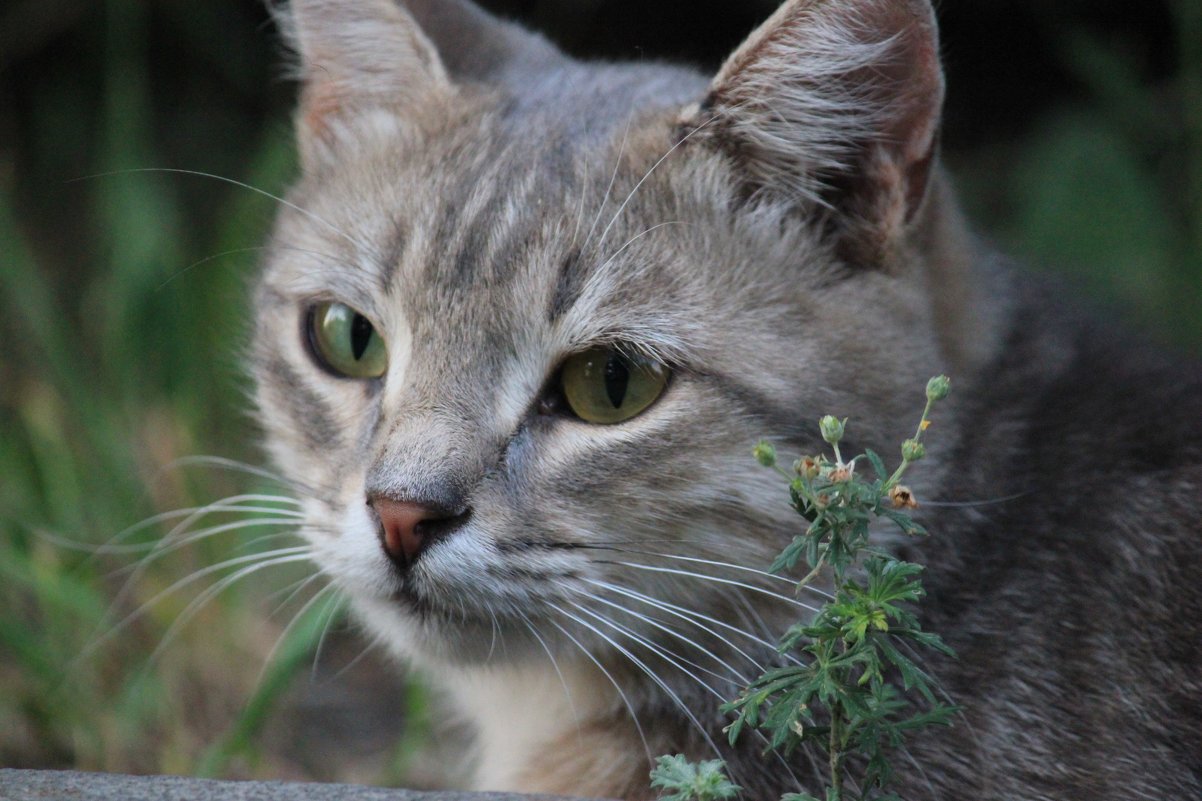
(1074, 130)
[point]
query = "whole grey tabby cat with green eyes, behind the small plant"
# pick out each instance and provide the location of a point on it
(525, 318)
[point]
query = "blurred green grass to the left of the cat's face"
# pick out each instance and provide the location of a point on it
(116, 370)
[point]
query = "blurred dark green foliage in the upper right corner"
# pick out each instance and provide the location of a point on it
(1108, 191)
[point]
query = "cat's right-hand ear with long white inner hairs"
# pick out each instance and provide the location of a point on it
(836, 104)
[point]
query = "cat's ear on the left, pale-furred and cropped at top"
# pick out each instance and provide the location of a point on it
(362, 64)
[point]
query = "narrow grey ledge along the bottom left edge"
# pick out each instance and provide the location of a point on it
(74, 786)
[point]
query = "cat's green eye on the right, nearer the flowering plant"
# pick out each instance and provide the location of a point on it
(605, 387)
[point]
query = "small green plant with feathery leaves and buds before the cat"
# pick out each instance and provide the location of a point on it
(843, 696)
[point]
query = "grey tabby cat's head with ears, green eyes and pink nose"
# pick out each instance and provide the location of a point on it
(525, 318)
